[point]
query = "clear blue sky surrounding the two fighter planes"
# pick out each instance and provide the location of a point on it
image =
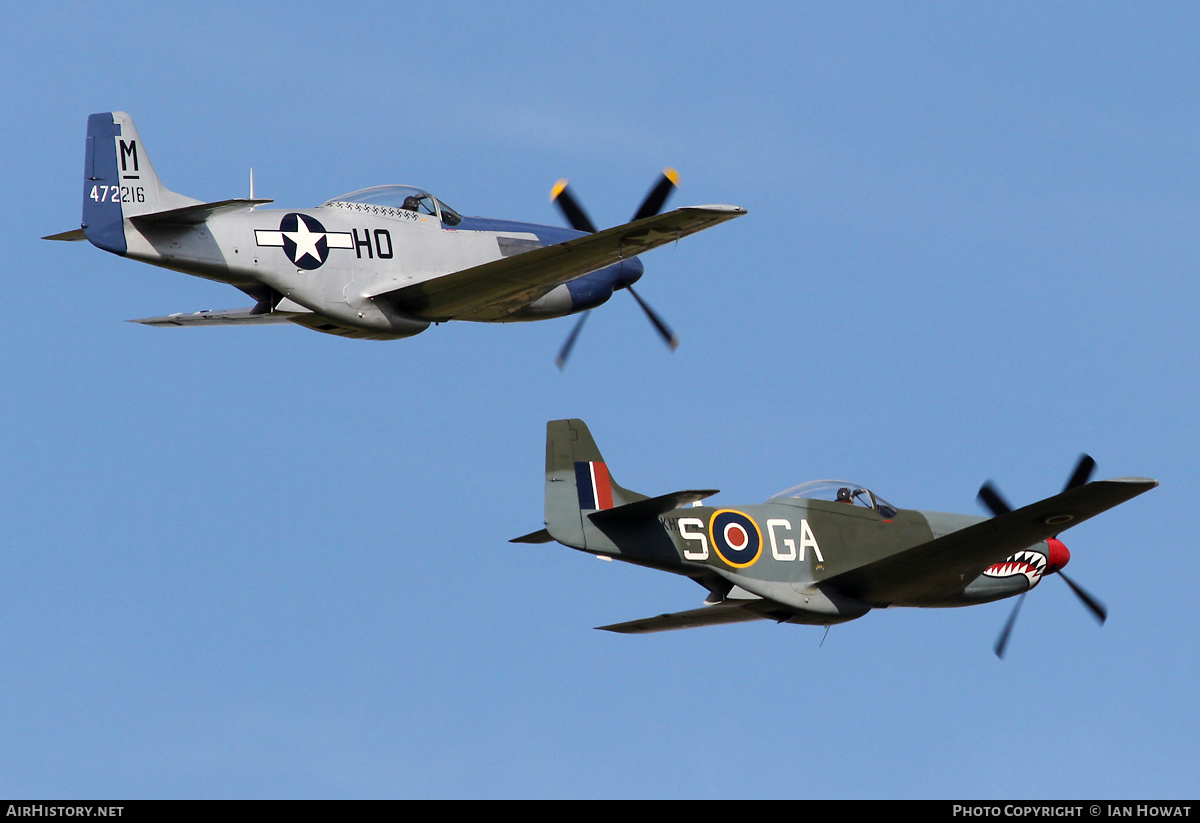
(272, 563)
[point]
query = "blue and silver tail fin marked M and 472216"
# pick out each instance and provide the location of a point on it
(119, 182)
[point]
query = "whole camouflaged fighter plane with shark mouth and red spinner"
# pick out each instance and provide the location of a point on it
(820, 554)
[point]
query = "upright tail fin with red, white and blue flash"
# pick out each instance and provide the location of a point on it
(578, 482)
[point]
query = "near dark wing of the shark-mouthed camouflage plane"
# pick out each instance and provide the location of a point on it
(939, 569)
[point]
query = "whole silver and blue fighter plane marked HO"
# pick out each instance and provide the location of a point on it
(380, 263)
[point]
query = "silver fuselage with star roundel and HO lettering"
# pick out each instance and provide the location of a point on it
(334, 260)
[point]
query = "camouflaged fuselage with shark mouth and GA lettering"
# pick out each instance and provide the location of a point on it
(794, 550)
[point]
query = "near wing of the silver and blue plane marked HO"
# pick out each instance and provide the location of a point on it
(524, 278)
